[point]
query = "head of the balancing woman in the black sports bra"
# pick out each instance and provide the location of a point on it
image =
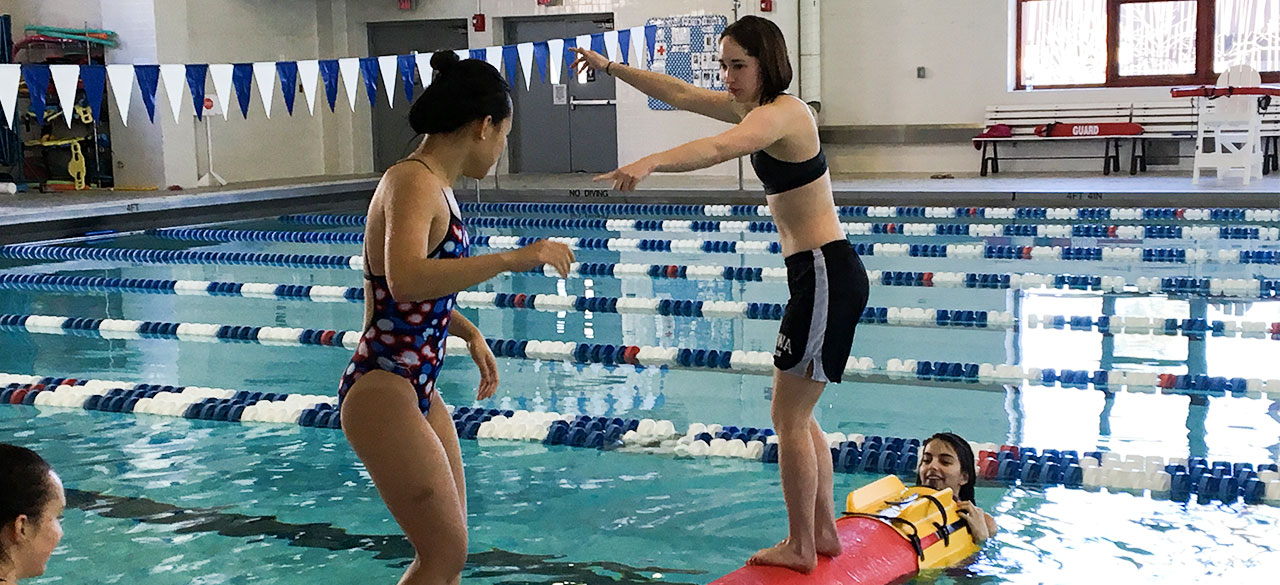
(755, 62)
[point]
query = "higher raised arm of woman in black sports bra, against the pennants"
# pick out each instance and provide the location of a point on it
(680, 94)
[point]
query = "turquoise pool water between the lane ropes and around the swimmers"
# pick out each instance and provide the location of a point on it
(161, 500)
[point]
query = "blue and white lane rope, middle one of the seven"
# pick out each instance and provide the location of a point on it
(1185, 286)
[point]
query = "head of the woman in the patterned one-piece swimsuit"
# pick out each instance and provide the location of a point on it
(468, 100)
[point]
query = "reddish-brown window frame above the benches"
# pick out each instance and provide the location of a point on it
(1206, 15)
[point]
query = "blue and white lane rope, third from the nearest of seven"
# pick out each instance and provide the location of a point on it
(897, 317)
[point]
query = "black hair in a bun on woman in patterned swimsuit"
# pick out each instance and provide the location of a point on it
(461, 92)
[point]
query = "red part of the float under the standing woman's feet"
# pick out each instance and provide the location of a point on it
(875, 555)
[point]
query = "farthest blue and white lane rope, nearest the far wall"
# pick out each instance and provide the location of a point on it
(1146, 214)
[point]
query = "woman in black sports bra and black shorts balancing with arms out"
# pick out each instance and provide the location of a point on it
(828, 281)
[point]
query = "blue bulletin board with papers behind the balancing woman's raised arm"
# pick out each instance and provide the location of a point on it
(688, 49)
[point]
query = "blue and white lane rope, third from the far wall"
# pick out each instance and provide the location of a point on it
(964, 252)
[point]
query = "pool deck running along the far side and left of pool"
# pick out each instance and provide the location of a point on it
(33, 217)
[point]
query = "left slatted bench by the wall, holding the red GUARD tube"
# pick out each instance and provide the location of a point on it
(1023, 121)
